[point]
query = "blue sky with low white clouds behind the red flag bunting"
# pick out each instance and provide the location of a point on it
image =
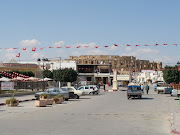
(45, 23)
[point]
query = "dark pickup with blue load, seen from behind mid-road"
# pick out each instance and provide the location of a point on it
(134, 91)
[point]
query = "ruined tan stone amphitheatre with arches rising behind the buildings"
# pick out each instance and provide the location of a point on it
(121, 63)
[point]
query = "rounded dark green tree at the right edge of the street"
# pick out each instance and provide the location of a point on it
(171, 74)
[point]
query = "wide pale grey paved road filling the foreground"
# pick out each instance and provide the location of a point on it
(107, 113)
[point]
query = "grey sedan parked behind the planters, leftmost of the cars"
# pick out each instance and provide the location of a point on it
(54, 92)
